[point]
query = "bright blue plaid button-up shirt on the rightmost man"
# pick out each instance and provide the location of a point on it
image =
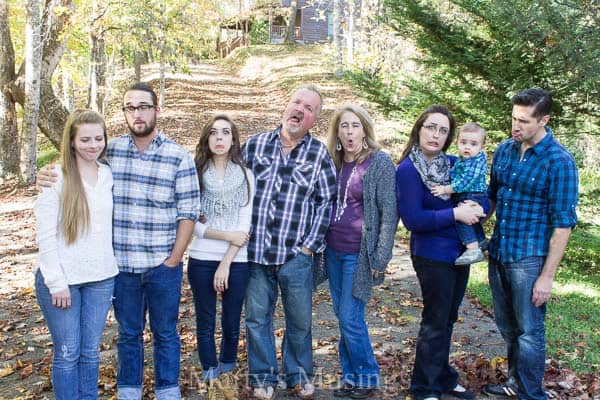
(533, 196)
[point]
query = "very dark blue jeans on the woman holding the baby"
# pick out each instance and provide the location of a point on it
(443, 287)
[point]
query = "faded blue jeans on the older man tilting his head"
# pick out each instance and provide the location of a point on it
(294, 279)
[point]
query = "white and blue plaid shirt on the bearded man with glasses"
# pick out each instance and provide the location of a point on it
(152, 191)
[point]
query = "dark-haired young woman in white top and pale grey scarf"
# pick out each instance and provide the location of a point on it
(218, 261)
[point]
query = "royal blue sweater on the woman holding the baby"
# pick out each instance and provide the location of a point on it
(429, 219)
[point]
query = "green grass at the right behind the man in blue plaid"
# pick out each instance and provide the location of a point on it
(573, 320)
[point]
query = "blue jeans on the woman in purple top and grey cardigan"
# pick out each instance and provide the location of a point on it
(359, 367)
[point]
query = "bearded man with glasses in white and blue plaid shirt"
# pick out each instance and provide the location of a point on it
(156, 203)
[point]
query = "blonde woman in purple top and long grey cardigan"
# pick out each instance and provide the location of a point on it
(359, 241)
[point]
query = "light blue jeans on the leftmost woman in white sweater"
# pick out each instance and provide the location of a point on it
(76, 333)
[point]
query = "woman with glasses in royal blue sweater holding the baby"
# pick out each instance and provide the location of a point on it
(434, 246)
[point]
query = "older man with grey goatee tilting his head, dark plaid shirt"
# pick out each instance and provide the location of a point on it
(295, 185)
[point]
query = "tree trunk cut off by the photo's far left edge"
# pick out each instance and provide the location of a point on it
(9, 145)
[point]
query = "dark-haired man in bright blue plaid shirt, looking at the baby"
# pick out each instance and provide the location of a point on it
(534, 189)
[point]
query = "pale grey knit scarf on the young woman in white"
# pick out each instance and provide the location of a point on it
(221, 200)
